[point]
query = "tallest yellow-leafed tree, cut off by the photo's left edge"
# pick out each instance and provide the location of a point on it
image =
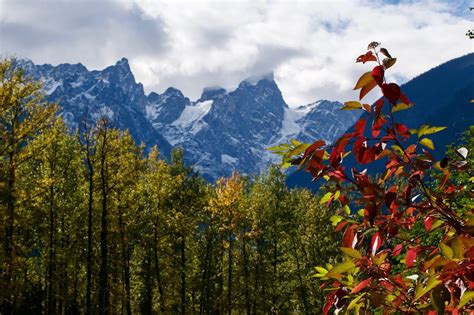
(23, 116)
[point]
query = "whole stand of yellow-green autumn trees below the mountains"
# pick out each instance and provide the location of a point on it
(94, 223)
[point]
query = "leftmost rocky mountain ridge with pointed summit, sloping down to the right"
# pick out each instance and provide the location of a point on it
(88, 95)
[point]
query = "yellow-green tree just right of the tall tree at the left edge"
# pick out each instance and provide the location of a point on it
(52, 191)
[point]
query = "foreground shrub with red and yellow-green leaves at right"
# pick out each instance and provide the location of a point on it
(407, 249)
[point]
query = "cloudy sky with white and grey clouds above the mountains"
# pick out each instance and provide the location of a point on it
(309, 45)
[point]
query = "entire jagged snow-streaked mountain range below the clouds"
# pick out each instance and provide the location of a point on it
(220, 132)
